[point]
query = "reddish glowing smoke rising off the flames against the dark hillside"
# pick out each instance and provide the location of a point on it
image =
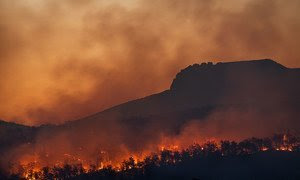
(110, 142)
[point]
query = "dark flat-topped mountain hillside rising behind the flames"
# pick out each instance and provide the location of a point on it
(256, 94)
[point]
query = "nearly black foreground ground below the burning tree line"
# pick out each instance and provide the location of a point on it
(263, 165)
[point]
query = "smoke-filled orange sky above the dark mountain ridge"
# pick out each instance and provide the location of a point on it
(62, 60)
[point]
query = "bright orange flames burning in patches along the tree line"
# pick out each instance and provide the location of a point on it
(31, 166)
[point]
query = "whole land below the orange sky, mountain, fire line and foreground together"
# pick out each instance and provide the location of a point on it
(169, 134)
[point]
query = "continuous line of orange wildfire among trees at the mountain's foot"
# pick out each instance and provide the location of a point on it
(30, 167)
